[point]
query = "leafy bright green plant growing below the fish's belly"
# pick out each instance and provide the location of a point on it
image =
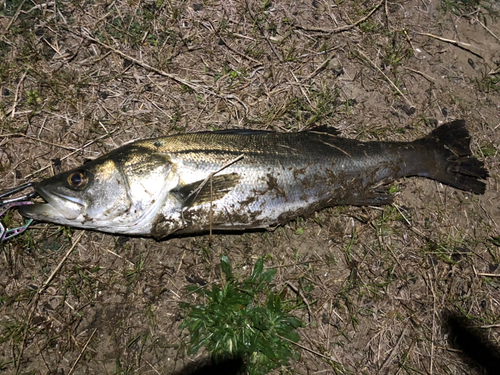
(244, 319)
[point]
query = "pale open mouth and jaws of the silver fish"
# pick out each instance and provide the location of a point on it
(57, 206)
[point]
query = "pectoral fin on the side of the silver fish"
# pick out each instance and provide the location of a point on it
(205, 191)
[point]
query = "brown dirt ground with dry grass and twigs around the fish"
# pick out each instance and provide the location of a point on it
(80, 78)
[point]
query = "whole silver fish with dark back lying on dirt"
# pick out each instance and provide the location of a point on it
(245, 179)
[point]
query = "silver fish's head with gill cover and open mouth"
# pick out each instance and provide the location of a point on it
(117, 193)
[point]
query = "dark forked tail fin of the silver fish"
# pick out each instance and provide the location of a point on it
(454, 164)
